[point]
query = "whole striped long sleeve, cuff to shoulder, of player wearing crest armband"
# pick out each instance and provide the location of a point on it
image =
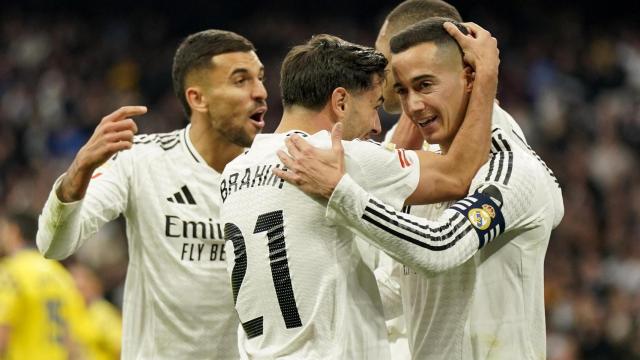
(499, 202)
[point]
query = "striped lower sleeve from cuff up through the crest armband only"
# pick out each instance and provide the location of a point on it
(427, 245)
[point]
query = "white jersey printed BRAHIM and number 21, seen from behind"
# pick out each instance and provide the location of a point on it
(301, 287)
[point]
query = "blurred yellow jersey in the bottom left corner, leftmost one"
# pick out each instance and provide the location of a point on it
(43, 308)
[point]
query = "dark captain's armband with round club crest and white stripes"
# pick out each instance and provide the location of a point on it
(484, 215)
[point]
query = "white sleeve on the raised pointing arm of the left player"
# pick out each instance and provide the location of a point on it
(64, 227)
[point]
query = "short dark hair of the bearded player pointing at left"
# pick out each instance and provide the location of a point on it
(195, 53)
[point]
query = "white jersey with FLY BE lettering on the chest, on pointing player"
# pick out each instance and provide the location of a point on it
(177, 299)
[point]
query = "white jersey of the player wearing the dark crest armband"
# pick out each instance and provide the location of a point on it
(473, 287)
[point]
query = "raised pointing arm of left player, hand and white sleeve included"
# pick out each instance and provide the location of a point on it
(74, 211)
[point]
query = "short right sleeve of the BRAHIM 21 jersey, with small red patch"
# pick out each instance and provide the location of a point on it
(389, 174)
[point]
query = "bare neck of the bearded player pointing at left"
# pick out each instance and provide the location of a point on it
(216, 150)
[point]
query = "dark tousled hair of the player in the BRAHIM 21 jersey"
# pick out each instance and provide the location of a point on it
(310, 72)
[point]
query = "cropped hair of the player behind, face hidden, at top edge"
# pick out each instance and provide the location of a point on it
(412, 11)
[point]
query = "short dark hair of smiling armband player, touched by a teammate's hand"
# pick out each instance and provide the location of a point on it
(430, 30)
